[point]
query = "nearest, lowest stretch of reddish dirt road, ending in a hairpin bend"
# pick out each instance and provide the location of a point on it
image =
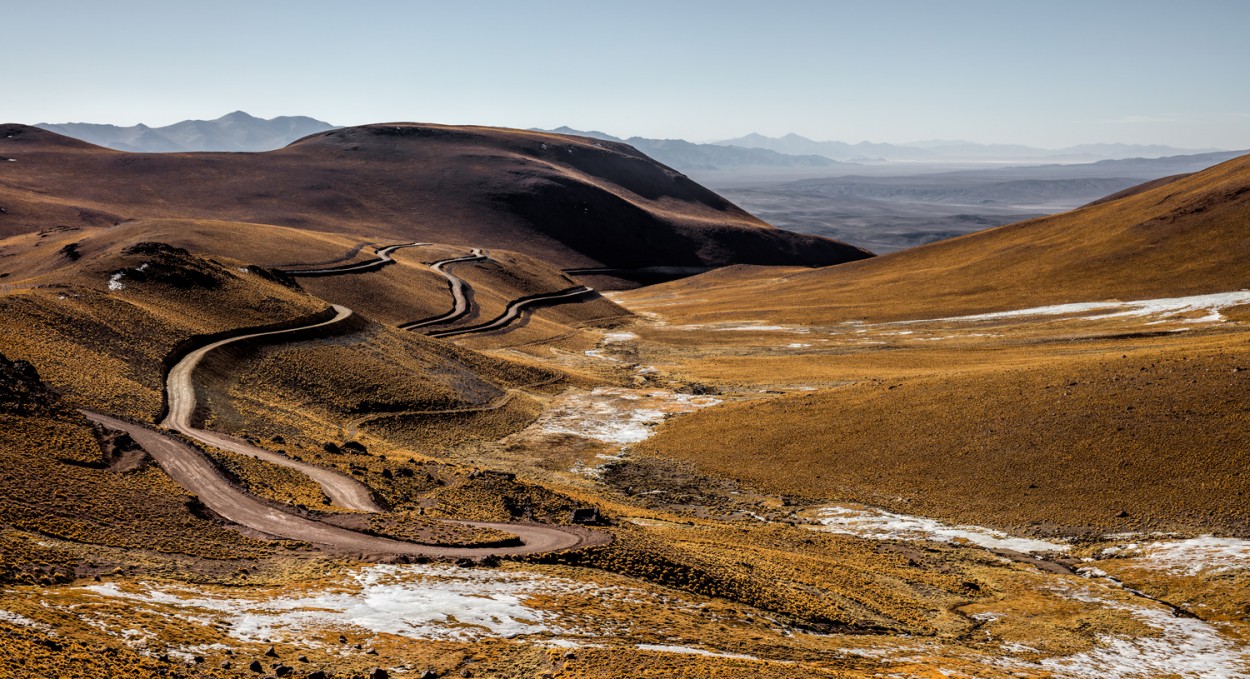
(191, 470)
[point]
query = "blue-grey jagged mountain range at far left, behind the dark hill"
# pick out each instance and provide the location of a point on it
(237, 132)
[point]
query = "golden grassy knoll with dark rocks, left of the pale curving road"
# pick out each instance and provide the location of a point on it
(104, 348)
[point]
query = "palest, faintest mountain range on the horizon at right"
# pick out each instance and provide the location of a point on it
(951, 151)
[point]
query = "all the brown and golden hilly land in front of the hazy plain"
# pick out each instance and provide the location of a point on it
(394, 402)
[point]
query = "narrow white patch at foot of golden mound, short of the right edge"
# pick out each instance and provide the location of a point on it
(878, 525)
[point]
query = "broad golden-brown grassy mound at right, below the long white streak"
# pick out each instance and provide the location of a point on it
(1048, 440)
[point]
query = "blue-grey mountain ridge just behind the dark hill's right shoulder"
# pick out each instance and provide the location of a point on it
(689, 157)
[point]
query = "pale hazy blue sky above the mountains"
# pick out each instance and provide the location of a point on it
(1043, 73)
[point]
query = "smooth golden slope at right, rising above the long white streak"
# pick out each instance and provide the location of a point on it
(1184, 238)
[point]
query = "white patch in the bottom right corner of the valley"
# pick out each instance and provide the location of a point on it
(1186, 647)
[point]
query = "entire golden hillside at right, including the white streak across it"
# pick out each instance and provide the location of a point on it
(1004, 377)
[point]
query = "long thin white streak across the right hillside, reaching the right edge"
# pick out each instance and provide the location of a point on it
(1164, 307)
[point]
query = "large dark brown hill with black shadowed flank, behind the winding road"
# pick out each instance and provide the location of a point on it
(573, 202)
